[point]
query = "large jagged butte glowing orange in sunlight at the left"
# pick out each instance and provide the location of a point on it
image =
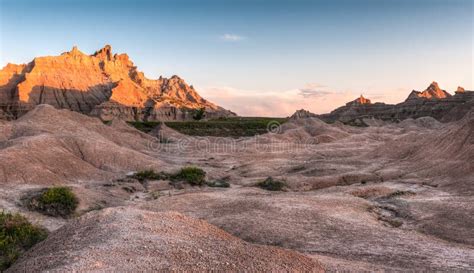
(102, 84)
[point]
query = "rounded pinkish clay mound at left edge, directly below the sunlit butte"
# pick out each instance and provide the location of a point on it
(49, 146)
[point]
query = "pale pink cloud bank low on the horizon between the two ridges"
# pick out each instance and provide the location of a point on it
(274, 103)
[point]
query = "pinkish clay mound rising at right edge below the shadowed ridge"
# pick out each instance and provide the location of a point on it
(445, 155)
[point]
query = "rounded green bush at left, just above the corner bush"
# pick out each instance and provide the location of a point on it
(57, 201)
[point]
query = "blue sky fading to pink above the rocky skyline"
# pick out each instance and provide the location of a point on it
(262, 57)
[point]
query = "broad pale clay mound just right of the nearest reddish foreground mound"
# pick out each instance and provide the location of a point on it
(335, 223)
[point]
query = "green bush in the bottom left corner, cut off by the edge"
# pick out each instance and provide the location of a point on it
(16, 236)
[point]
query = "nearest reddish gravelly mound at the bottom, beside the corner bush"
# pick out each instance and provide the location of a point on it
(126, 239)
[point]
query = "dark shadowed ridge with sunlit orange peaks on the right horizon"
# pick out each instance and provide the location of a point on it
(433, 102)
